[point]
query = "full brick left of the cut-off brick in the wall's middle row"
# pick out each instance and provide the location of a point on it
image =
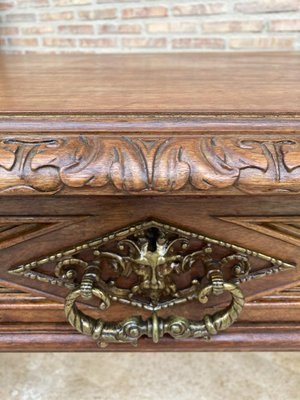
(232, 26)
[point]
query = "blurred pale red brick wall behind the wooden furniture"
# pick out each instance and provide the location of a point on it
(126, 26)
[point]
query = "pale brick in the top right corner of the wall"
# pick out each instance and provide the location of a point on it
(265, 6)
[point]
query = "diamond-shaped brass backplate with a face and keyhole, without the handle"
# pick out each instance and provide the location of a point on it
(151, 264)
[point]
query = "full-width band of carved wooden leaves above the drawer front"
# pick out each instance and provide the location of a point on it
(158, 165)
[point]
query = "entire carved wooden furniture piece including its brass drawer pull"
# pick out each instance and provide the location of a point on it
(151, 182)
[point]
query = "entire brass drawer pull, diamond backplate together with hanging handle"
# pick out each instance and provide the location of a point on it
(152, 266)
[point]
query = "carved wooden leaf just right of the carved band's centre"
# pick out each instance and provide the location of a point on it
(207, 163)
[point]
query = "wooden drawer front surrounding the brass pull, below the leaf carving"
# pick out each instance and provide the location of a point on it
(264, 225)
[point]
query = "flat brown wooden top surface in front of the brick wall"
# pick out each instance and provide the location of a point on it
(263, 83)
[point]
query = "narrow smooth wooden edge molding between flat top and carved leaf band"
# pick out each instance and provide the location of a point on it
(185, 123)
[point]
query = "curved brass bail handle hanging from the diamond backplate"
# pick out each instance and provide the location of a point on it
(132, 328)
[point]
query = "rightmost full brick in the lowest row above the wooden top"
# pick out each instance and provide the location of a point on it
(267, 43)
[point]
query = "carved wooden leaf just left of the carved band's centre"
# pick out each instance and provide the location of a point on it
(94, 162)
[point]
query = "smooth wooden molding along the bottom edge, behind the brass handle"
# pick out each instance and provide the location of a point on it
(60, 337)
